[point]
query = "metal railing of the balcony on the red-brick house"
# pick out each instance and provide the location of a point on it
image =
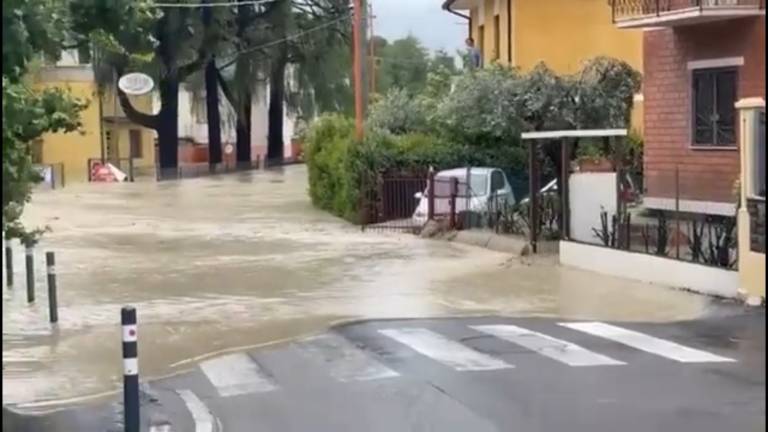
(628, 9)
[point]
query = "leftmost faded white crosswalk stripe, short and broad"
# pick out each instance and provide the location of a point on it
(237, 374)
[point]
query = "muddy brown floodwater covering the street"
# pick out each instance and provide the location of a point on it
(221, 263)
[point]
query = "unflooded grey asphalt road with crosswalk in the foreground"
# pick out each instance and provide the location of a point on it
(478, 374)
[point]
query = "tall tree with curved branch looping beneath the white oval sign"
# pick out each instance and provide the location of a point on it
(169, 44)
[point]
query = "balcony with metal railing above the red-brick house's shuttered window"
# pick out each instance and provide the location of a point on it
(670, 13)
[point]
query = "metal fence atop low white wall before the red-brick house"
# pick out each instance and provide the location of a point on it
(679, 214)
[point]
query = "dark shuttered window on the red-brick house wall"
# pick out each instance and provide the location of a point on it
(714, 114)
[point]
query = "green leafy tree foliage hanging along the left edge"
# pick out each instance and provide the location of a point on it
(31, 28)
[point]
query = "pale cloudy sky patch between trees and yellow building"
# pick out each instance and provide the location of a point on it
(425, 19)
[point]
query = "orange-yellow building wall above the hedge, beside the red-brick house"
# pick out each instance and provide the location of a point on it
(561, 33)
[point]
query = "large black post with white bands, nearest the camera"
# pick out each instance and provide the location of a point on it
(130, 369)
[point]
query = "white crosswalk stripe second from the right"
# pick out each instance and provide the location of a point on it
(556, 349)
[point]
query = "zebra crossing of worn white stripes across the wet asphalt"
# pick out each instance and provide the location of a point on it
(348, 359)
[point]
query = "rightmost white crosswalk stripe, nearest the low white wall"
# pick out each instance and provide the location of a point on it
(643, 342)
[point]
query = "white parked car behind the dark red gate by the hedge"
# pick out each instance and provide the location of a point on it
(487, 187)
